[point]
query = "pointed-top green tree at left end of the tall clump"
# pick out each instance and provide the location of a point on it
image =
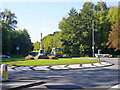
(69, 33)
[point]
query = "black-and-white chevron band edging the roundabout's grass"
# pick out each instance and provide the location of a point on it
(61, 67)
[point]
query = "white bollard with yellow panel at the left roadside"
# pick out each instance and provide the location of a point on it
(4, 72)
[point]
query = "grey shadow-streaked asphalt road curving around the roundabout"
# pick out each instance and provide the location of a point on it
(103, 77)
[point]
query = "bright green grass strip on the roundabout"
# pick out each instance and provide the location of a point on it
(42, 62)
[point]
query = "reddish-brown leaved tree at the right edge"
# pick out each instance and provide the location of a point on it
(114, 36)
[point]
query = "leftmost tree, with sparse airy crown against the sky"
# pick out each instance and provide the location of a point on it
(8, 23)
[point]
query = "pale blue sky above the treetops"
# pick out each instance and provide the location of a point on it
(43, 16)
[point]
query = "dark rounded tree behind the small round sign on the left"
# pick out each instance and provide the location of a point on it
(22, 40)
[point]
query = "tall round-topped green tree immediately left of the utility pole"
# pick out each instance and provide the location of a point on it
(87, 15)
